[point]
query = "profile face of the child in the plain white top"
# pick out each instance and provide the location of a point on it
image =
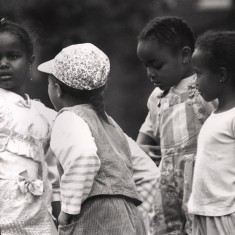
(207, 80)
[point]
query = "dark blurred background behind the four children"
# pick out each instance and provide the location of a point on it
(113, 26)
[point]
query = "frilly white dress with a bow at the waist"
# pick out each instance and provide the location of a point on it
(25, 191)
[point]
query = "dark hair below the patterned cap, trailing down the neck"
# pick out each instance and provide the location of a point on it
(94, 97)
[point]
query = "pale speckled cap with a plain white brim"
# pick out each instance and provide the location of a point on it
(81, 66)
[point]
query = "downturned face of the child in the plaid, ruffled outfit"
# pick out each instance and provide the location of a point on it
(163, 67)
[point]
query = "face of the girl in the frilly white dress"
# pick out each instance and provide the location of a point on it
(14, 64)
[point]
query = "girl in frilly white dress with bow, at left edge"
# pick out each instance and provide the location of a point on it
(25, 193)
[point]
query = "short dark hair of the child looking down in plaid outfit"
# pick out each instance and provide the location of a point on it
(170, 31)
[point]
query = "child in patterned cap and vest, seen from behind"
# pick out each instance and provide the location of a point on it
(98, 192)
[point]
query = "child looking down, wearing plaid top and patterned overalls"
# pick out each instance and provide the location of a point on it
(176, 114)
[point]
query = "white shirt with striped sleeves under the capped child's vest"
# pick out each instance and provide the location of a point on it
(76, 151)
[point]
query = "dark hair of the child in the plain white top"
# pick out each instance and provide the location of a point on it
(218, 48)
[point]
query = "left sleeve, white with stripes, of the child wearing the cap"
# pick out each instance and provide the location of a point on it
(76, 151)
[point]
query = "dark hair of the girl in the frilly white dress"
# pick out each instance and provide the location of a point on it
(20, 32)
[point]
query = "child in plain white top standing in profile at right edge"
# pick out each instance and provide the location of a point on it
(213, 200)
